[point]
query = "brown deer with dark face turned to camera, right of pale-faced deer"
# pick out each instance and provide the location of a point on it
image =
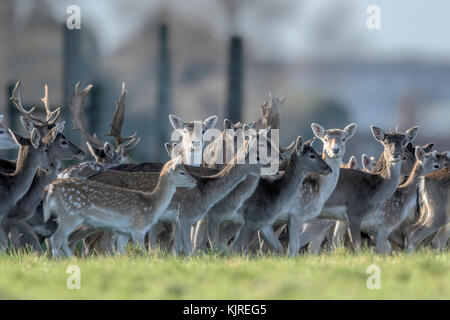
(358, 195)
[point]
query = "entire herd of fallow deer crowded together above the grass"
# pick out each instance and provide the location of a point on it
(197, 202)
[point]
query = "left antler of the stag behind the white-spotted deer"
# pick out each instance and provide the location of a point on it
(77, 113)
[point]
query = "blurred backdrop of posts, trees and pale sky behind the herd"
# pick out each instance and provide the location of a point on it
(197, 58)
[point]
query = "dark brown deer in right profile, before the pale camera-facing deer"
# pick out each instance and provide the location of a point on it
(273, 198)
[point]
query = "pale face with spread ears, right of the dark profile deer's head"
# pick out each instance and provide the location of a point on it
(334, 140)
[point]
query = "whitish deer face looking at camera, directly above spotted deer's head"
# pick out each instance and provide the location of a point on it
(192, 136)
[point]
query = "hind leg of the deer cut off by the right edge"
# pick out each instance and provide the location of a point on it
(436, 219)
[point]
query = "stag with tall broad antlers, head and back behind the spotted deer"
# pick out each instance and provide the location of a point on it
(104, 153)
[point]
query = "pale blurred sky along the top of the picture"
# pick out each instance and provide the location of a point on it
(283, 30)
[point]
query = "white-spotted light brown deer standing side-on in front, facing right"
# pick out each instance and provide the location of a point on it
(128, 213)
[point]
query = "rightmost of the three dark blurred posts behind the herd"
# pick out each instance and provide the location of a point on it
(235, 79)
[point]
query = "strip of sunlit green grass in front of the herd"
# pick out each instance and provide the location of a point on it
(338, 275)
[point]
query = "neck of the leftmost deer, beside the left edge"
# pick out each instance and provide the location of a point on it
(23, 176)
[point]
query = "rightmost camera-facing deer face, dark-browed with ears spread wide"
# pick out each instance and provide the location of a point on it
(394, 143)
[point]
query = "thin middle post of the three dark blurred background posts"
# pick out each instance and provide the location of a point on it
(163, 102)
